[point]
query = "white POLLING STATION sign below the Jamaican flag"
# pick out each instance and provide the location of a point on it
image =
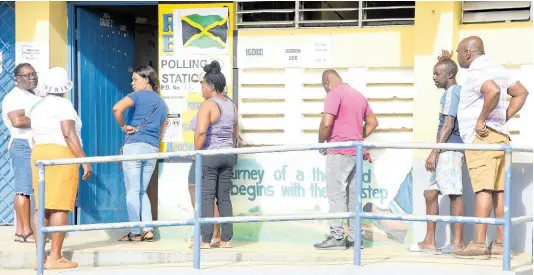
(179, 76)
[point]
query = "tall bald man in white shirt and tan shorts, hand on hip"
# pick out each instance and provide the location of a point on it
(482, 114)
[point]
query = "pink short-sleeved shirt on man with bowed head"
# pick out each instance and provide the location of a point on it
(350, 109)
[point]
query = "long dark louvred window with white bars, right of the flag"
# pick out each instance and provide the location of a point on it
(323, 14)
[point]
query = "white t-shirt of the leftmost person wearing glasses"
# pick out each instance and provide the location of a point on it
(17, 99)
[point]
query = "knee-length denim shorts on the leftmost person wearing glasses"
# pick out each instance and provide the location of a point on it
(20, 152)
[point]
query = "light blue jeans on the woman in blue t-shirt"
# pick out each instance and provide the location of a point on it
(137, 176)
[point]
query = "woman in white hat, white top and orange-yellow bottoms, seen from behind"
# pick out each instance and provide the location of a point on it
(56, 131)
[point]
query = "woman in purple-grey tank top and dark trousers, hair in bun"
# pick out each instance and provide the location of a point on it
(216, 128)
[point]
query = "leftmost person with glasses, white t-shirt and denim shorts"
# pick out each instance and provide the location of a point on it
(13, 106)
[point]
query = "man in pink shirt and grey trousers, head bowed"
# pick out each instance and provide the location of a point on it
(345, 111)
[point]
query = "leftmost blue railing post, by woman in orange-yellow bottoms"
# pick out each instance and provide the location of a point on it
(40, 221)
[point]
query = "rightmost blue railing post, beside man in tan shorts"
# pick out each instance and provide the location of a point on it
(507, 240)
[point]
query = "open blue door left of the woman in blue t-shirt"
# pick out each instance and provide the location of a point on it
(105, 61)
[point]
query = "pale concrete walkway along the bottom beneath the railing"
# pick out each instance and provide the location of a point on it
(97, 249)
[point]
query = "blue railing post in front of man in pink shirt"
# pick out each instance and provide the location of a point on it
(358, 220)
